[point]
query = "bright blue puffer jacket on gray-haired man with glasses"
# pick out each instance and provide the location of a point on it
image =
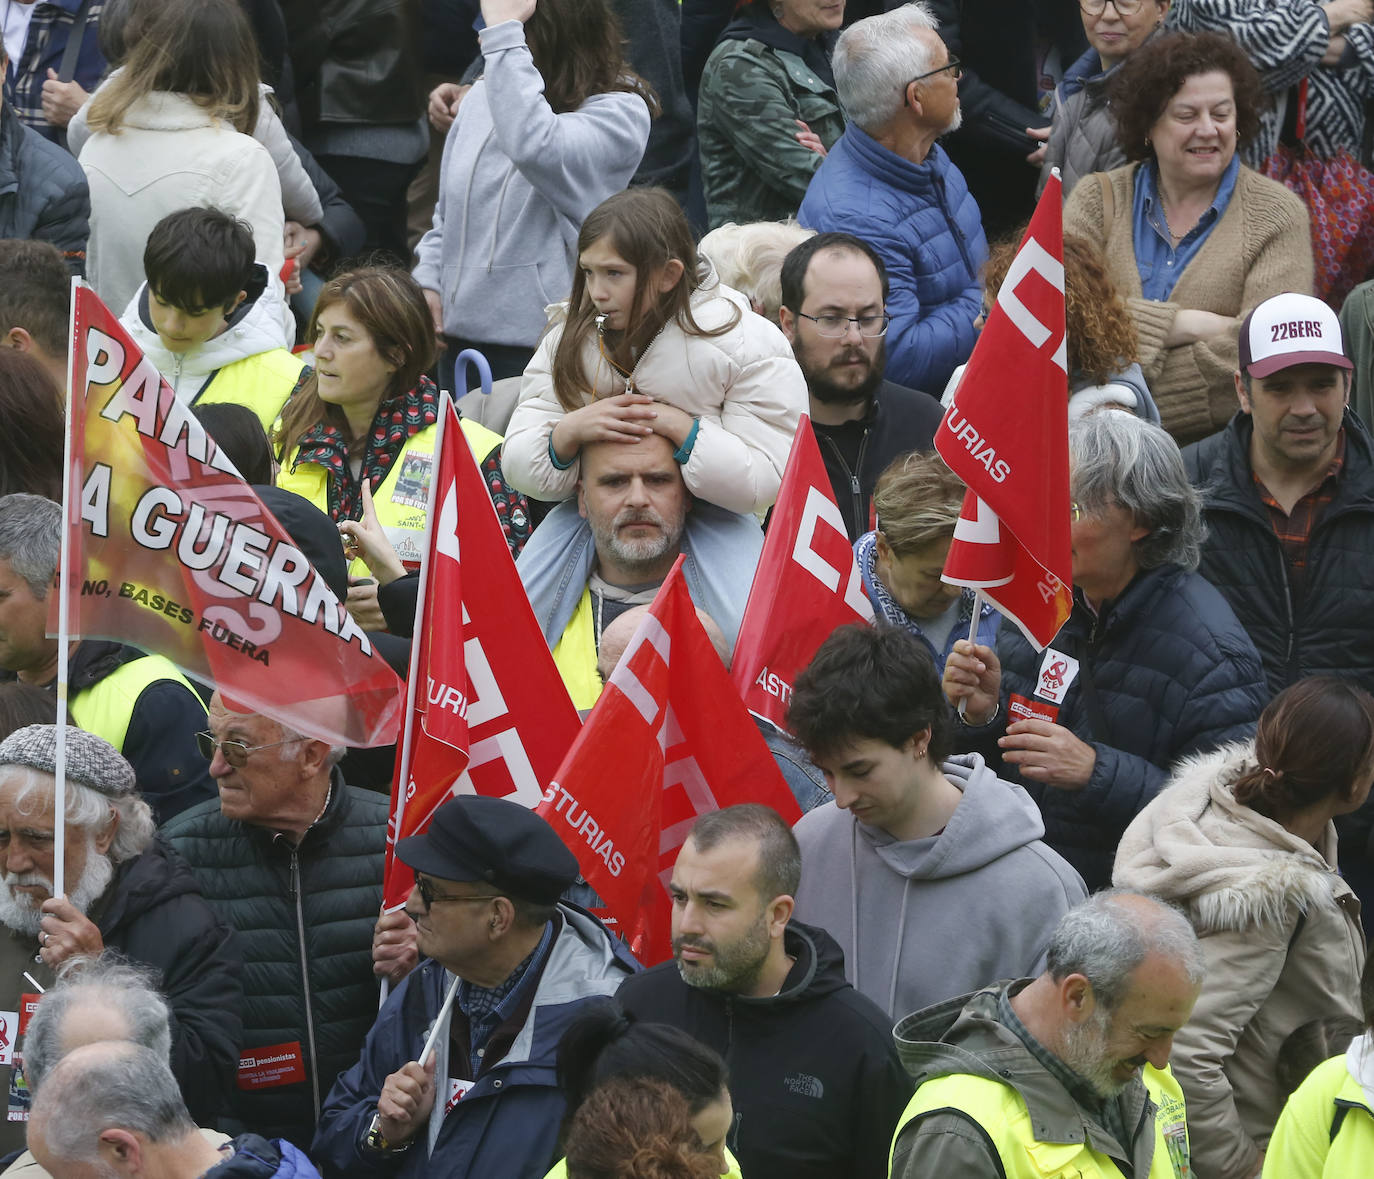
(927, 227)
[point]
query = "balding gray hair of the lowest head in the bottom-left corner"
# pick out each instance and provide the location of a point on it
(109, 1086)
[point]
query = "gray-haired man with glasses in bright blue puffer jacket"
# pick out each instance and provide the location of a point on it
(888, 182)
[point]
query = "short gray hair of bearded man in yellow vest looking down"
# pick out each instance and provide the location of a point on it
(1105, 942)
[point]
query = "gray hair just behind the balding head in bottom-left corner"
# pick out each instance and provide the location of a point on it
(106, 983)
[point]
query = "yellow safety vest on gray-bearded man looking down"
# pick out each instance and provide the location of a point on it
(1002, 1112)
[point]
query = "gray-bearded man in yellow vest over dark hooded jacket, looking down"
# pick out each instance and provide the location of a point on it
(1068, 1070)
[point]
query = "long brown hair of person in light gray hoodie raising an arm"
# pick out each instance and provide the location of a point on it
(579, 52)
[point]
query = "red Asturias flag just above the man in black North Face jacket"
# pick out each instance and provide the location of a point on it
(667, 741)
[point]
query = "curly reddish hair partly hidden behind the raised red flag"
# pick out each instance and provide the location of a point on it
(1101, 337)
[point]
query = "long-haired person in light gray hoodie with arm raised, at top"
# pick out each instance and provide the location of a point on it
(556, 126)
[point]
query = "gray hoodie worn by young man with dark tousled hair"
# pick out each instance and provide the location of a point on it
(941, 916)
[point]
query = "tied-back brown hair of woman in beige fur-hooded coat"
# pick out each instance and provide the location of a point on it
(1314, 740)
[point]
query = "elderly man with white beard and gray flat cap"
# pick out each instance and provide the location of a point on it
(124, 891)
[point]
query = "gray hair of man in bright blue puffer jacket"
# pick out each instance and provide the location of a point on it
(876, 58)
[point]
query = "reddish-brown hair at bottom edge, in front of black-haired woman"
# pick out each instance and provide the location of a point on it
(637, 1129)
